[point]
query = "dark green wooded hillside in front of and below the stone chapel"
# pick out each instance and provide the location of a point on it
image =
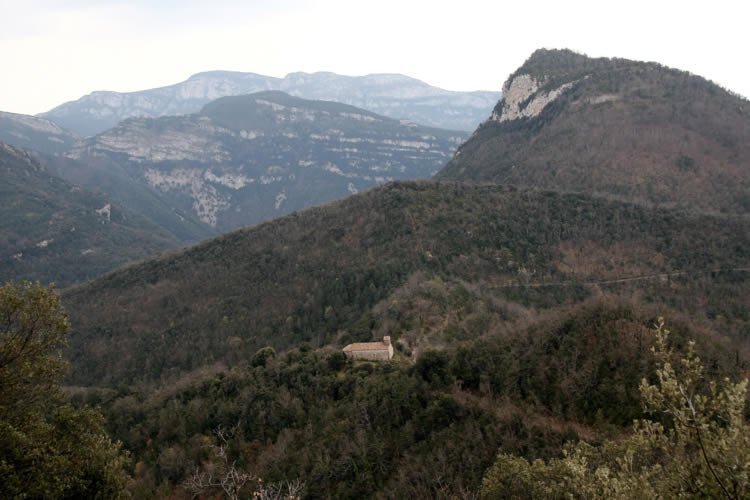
(425, 430)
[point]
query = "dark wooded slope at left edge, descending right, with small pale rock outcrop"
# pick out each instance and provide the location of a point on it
(51, 230)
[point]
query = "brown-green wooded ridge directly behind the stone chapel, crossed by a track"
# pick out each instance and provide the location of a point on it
(382, 262)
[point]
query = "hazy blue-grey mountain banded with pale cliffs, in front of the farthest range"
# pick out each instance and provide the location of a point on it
(246, 159)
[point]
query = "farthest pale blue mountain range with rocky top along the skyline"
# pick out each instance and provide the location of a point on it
(392, 95)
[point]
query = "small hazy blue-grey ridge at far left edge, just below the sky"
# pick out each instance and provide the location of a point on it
(30, 132)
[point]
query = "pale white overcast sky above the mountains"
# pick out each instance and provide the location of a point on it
(57, 51)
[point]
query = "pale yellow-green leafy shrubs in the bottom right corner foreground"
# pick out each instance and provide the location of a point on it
(696, 444)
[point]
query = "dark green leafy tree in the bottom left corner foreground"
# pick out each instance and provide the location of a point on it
(47, 449)
